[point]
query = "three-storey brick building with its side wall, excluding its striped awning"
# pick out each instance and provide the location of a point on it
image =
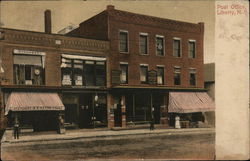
(149, 58)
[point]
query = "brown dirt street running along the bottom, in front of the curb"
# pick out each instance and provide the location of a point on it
(156, 146)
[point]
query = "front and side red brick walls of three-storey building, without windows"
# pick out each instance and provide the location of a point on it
(136, 23)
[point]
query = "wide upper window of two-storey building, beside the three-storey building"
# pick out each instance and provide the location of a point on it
(83, 72)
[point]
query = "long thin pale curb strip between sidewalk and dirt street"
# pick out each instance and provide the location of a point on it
(176, 132)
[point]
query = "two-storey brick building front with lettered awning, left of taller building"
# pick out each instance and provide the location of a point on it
(46, 75)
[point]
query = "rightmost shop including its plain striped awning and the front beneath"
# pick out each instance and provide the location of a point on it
(191, 107)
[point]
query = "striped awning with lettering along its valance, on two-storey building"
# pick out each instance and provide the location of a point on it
(33, 101)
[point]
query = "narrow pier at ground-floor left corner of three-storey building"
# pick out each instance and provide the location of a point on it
(110, 106)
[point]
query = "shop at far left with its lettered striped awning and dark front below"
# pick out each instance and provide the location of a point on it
(35, 110)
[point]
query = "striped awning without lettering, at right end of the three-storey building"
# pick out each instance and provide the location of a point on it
(187, 102)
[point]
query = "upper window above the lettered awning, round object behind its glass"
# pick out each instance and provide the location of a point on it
(28, 69)
